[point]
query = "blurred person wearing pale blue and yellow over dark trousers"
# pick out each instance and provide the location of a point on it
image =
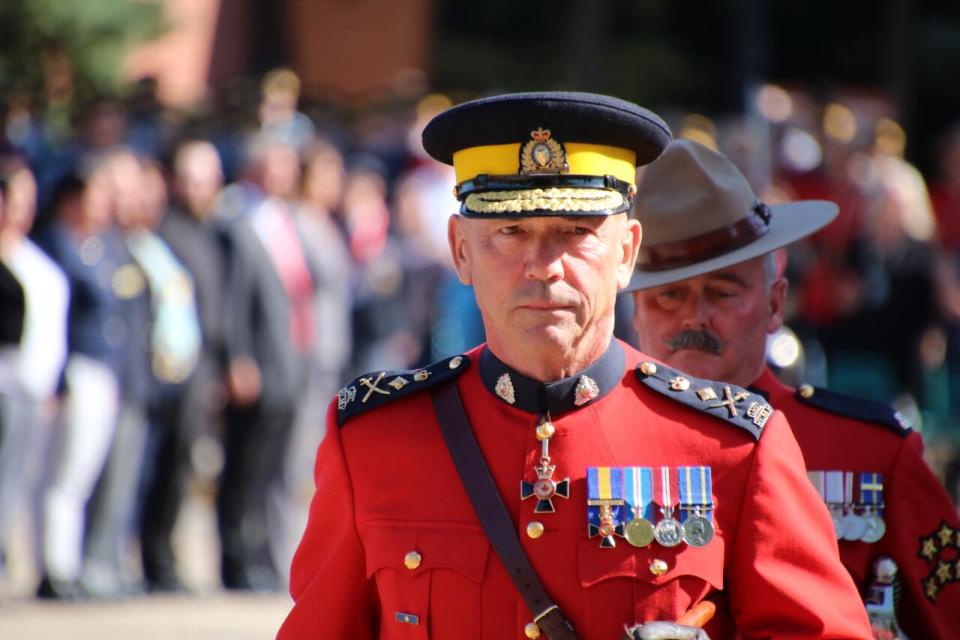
(175, 344)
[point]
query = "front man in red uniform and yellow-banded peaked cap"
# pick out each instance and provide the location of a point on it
(635, 491)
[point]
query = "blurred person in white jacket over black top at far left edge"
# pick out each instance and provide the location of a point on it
(30, 369)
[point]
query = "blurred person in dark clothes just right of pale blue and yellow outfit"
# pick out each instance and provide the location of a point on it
(191, 231)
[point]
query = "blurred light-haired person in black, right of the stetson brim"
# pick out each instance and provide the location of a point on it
(890, 290)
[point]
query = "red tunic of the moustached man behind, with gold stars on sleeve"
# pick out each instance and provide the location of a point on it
(923, 530)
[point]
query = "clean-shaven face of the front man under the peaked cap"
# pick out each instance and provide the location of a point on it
(545, 285)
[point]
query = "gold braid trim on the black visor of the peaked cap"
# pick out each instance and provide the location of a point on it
(555, 199)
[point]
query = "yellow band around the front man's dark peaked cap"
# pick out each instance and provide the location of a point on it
(583, 159)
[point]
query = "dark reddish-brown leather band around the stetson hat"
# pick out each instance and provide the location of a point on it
(682, 253)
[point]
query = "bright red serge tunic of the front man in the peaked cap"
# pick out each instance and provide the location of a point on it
(386, 487)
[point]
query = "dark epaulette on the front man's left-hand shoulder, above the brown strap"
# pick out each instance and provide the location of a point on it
(377, 388)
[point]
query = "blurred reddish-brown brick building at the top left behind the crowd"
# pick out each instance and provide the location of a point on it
(342, 48)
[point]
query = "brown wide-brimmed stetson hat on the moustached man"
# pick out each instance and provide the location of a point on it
(699, 215)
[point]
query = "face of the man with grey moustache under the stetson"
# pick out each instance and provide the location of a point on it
(715, 325)
